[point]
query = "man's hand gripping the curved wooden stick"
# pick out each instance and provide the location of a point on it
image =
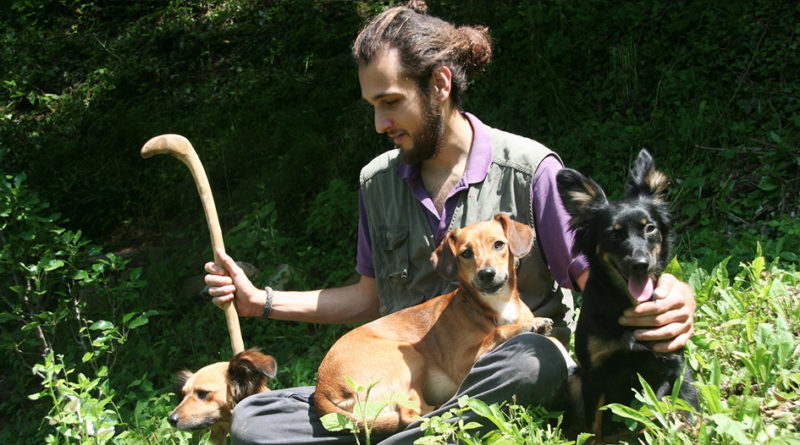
(231, 283)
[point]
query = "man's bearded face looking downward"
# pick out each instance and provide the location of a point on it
(413, 121)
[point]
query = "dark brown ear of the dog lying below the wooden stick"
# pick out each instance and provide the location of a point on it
(247, 373)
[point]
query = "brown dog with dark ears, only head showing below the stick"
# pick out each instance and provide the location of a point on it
(210, 394)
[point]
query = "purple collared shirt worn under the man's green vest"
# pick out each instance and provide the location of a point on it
(552, 220)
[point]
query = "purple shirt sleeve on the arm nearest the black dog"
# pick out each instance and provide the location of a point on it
(552, 226)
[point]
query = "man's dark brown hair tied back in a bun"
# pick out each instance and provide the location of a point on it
(425, 44)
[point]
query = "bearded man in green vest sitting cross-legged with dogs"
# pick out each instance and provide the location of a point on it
(449, 170)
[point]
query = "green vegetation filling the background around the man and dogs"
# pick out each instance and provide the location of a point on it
(102, 251)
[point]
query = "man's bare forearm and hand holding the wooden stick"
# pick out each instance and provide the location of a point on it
(354, 303)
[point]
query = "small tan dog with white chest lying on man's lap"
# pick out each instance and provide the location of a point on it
(425, 351)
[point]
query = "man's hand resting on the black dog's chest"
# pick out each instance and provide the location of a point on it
(670, 318)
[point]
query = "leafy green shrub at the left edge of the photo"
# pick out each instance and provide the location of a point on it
(57, 286)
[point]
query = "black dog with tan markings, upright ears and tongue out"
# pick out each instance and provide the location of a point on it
(628, 244)
